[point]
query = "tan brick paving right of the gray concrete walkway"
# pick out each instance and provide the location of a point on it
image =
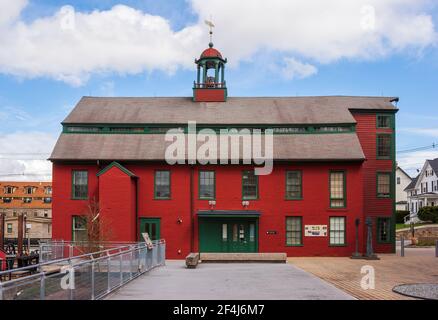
(418, 266)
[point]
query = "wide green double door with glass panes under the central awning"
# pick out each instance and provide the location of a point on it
(228, 235)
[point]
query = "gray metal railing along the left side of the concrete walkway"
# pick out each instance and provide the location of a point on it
(89, 276)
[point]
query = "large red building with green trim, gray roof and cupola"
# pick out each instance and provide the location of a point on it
(334, 165)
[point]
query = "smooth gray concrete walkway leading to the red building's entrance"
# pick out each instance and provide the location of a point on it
(228, 281)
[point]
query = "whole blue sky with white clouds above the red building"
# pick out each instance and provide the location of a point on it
(41, 79)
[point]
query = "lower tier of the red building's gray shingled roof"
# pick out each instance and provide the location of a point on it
(344, 146)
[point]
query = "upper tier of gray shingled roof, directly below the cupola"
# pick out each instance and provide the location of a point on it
(272, 110)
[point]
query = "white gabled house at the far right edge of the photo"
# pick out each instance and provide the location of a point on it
(423, 190)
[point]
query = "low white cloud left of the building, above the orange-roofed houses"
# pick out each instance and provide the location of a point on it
(23, 156)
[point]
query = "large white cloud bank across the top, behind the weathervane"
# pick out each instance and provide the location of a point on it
(70, 46)
